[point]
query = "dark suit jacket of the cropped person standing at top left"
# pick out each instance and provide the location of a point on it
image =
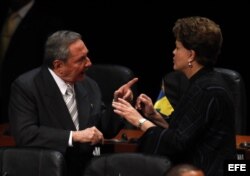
(26, 48)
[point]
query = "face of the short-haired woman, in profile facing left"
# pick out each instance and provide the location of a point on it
(182, 57)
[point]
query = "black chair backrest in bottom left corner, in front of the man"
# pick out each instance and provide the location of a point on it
(16, 161)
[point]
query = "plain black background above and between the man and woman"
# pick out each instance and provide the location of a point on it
(138, 33)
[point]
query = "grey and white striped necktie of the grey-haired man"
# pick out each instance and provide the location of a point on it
(71, 104)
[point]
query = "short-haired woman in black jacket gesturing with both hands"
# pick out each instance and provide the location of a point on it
(201, 129)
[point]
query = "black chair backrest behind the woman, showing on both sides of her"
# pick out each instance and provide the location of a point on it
(175, 84)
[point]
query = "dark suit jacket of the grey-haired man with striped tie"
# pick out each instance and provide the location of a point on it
(39, 116)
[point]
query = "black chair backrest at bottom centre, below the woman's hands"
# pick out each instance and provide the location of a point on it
(128, 164)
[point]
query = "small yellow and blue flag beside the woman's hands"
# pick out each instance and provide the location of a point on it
(162, 103)
